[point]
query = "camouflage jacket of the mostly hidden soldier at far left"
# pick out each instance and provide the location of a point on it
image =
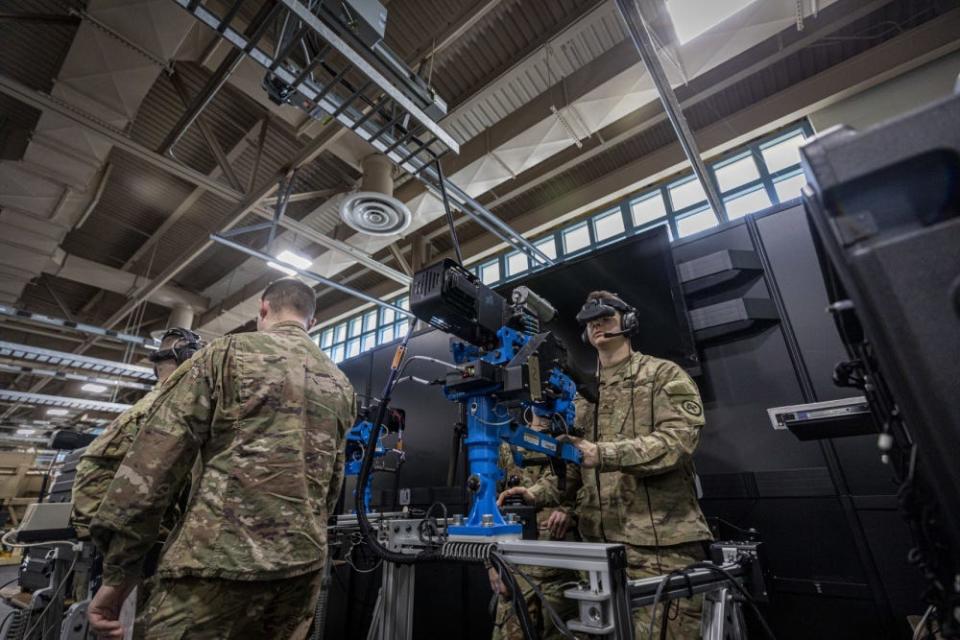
(100, 460)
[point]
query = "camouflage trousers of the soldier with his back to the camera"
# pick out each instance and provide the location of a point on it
(214, 609)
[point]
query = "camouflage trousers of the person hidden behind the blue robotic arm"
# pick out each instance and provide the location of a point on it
(551, 585)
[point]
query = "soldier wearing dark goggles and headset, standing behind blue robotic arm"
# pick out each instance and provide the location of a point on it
(636, 485)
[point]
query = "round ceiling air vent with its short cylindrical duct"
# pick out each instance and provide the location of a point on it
(373, 210)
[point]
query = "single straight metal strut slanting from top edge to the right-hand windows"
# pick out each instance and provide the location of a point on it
(640, 35)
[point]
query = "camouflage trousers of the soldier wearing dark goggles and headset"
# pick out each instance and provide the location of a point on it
(683, 615)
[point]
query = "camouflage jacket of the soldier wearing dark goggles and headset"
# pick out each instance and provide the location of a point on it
(647, 428)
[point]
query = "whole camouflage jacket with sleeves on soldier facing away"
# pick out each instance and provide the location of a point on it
(267, 412)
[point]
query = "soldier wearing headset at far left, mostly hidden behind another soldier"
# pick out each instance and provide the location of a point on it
(100, 460)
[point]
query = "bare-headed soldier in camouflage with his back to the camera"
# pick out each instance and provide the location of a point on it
(267, 412)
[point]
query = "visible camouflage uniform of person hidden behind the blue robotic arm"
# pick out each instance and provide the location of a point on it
(550, 581)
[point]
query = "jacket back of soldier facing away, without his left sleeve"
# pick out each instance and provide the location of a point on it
(260, 508)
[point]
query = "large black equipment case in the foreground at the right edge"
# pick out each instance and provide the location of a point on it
(884, 207)
